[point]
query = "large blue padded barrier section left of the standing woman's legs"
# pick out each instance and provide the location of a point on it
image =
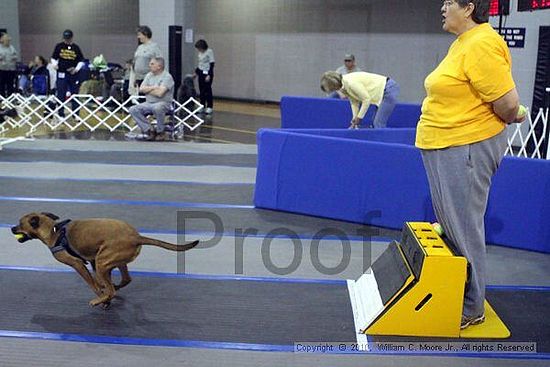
(348, 179)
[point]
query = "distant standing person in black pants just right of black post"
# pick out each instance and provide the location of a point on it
(205, 73)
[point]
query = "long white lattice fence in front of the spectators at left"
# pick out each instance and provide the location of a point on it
(91, 113)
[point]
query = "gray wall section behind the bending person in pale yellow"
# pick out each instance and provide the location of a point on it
(268, 48)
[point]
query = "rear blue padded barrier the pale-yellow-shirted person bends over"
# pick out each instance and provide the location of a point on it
(333, 113)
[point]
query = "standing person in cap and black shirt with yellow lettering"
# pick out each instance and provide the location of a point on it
(68, 59)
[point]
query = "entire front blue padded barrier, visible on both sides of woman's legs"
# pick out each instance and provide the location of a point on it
(355, 176)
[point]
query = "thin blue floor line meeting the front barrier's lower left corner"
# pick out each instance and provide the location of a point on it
(127, 202)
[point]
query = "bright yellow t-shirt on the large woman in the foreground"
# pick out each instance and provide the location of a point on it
(457, 109)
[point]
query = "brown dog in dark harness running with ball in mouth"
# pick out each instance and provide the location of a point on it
(105, 243)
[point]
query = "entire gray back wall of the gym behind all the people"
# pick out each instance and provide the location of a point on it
(268, 48)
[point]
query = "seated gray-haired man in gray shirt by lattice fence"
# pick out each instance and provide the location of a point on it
(158, 87)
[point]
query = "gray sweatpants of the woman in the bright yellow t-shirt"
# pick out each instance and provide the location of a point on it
(460, 178)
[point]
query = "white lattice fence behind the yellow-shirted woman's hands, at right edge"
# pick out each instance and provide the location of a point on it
(532, 135)
